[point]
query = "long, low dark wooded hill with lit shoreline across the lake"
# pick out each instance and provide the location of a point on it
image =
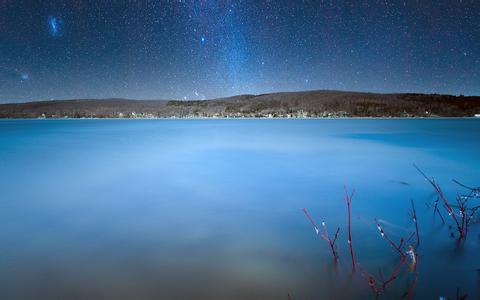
(290, 104)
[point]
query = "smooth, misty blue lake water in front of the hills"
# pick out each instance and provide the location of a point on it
(211, 209)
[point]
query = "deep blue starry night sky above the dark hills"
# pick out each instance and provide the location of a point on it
(205, 49)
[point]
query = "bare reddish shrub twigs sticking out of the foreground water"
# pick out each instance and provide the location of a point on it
(458, 216)
